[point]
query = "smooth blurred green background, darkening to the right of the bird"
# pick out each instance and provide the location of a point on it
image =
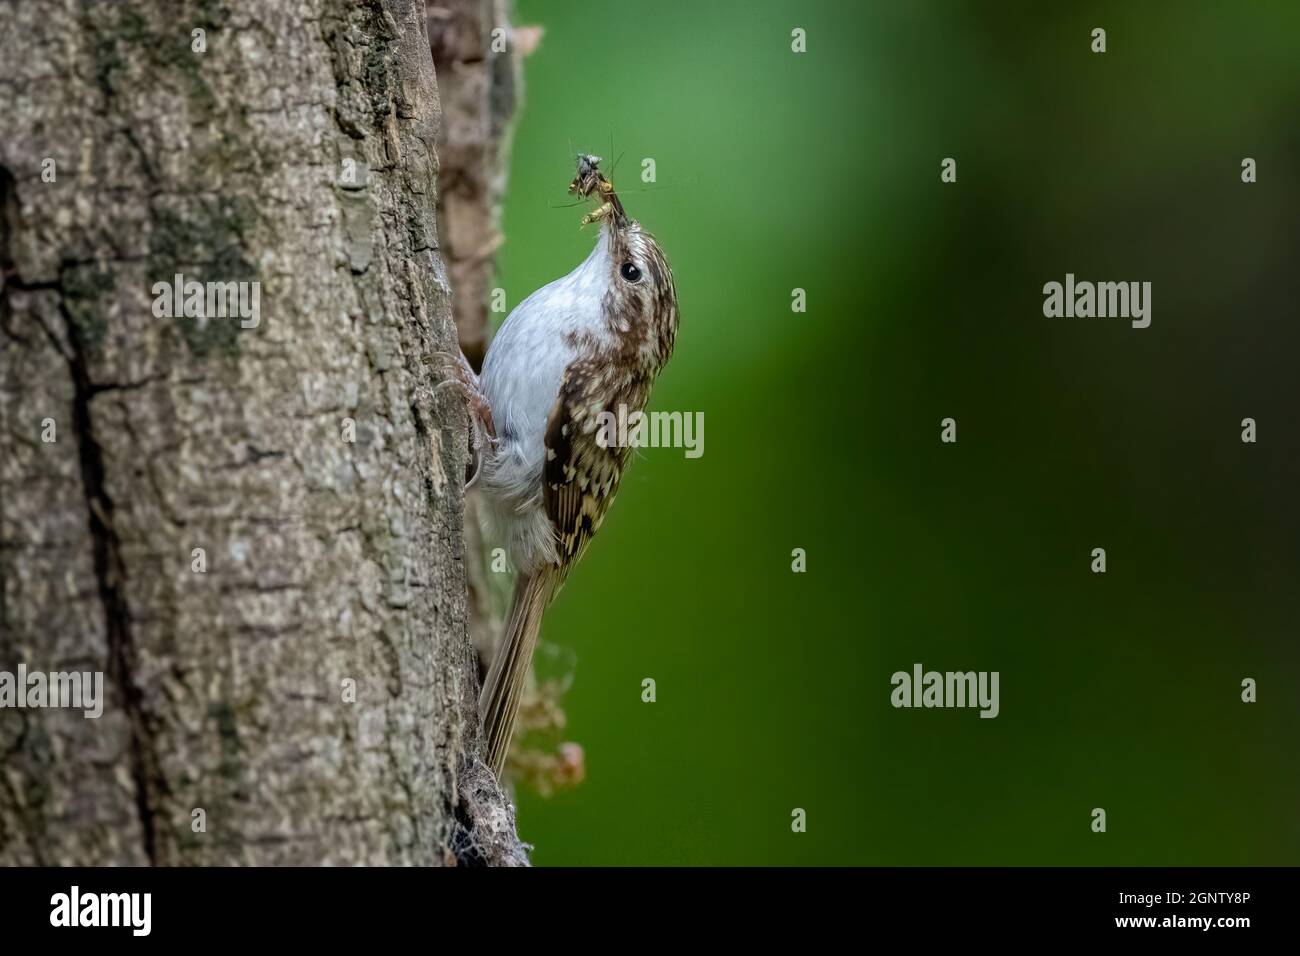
(822, 171)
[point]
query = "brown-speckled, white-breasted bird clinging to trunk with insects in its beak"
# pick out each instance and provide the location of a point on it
(580, 349)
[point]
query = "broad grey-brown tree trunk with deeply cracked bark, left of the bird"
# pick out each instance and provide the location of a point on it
(327, 560)
